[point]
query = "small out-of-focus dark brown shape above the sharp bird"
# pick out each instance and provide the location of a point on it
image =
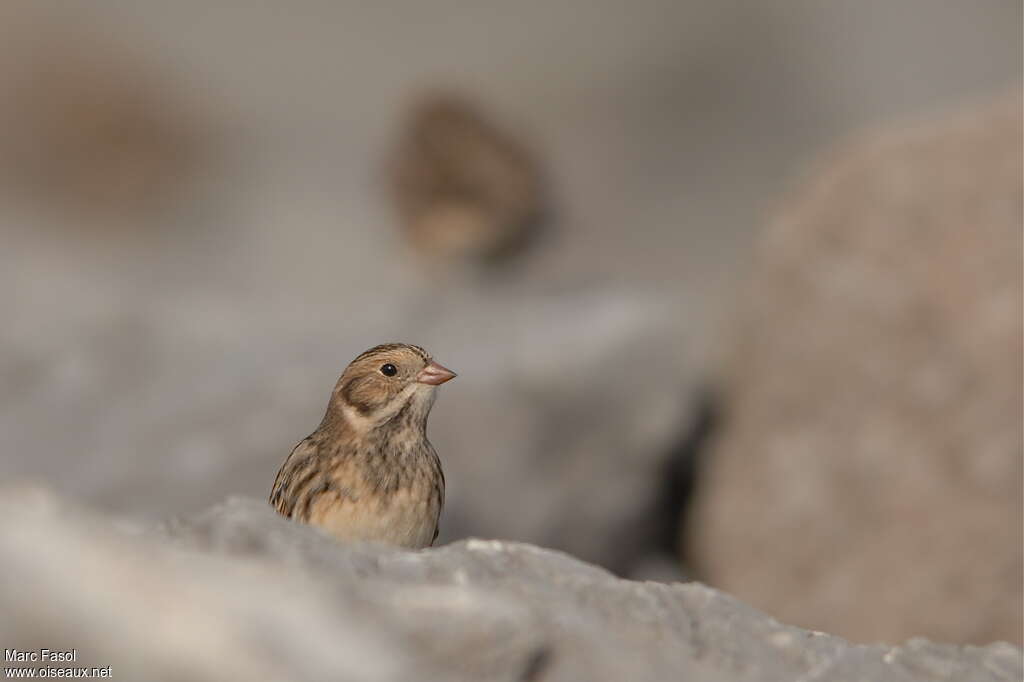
(465, 190)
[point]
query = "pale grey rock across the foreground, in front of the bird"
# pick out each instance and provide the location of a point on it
(237, 592)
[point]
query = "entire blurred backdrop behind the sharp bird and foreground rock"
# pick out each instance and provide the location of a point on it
(733, 289)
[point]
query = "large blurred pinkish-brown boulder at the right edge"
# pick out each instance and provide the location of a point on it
(868, 482)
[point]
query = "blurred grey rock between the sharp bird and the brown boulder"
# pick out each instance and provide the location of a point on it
(565, 419)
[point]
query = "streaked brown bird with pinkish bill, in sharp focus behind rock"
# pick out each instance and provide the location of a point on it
(368, 473)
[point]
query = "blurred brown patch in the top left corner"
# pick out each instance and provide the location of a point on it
(90, 125)
